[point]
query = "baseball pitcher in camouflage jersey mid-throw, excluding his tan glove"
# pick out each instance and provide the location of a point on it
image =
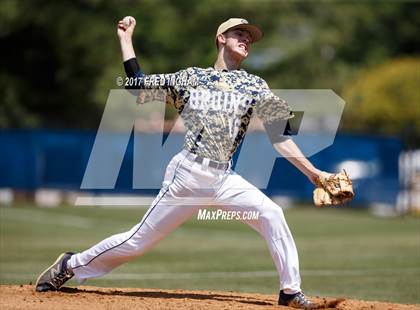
(216, 104)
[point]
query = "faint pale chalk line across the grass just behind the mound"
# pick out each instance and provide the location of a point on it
(236, 274)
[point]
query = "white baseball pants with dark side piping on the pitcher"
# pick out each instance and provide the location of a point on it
(187, 187)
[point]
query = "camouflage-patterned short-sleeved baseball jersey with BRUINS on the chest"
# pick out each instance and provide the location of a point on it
(216, 106)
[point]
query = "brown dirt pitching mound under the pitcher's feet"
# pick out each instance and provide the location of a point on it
(85, 297)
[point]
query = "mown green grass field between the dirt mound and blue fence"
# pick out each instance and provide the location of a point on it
(342, 252)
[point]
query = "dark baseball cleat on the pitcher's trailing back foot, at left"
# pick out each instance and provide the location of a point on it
(56, 275)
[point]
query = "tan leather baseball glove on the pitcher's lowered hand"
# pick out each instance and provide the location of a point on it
(333, 189)
